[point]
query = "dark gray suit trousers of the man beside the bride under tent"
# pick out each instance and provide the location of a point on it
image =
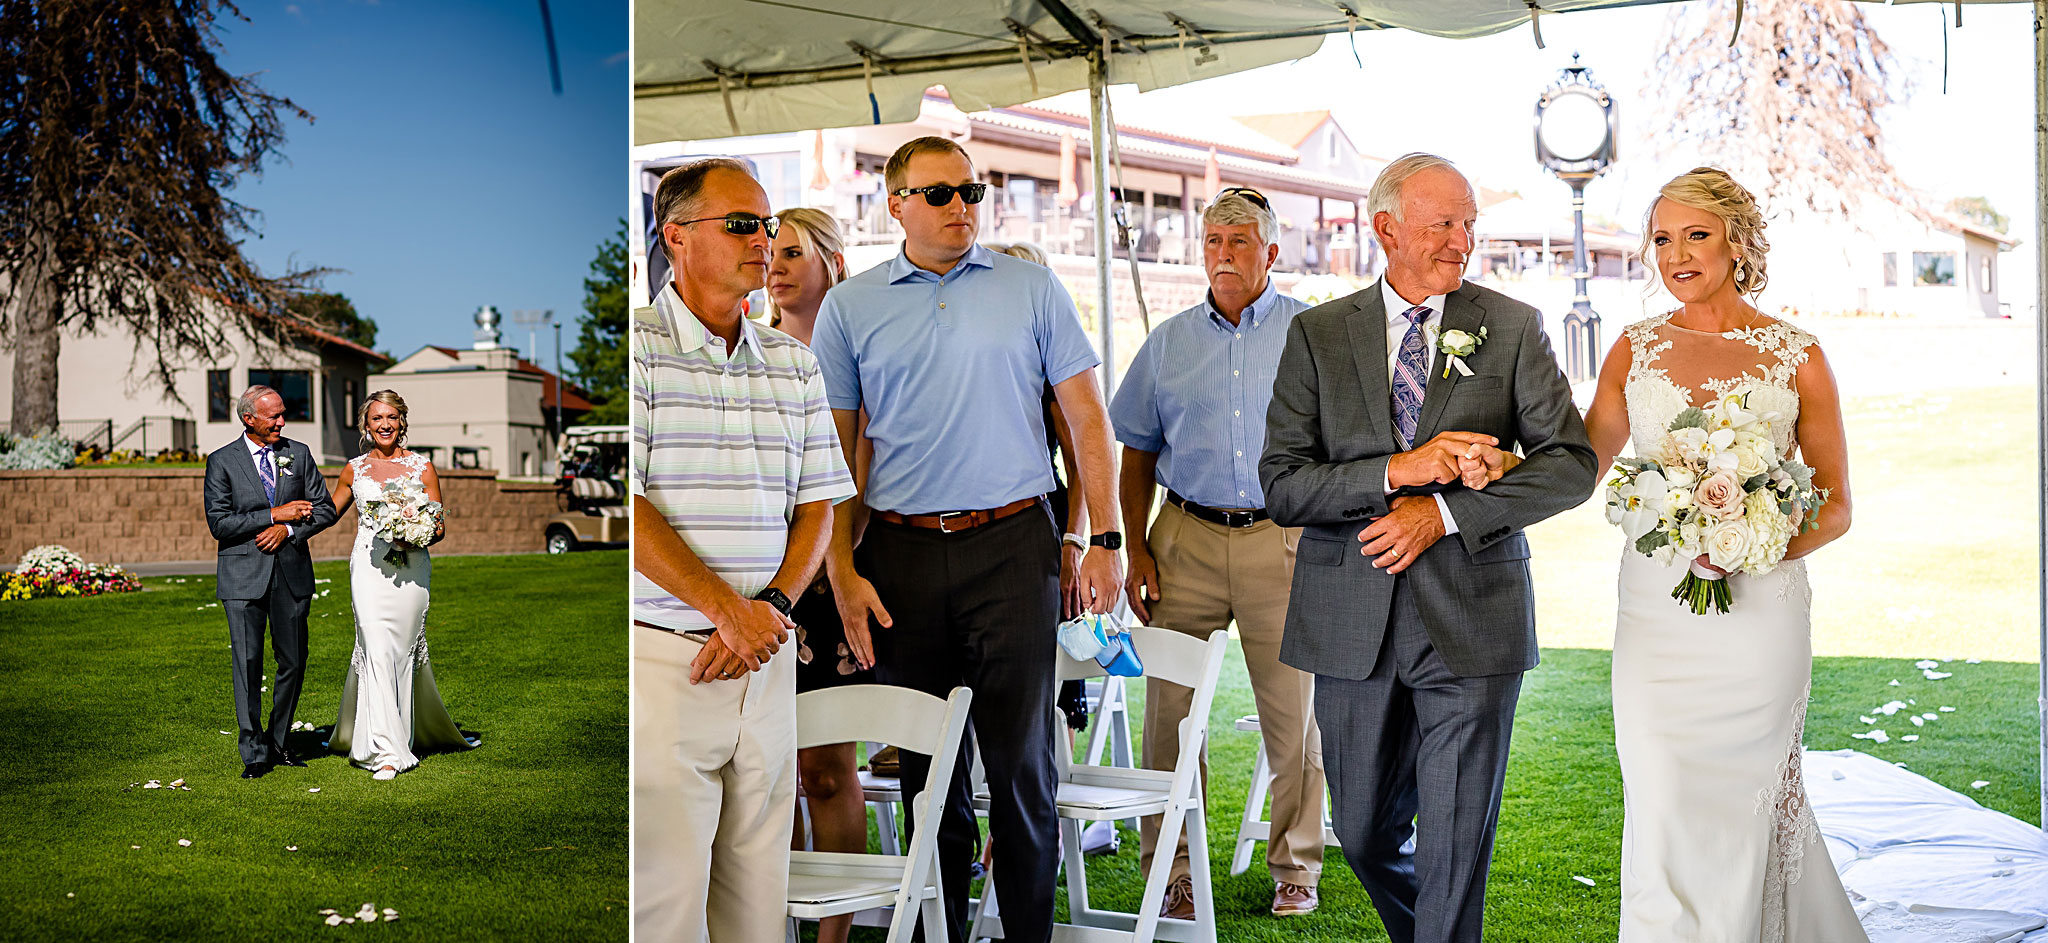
(1416, 739)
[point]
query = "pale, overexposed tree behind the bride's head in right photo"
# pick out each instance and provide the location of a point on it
(1791, 108)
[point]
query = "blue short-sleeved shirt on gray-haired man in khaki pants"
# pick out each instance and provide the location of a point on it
(1197, 395)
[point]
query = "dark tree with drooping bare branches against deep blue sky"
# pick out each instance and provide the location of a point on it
(120, 140)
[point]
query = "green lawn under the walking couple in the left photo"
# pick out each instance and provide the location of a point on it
(523, 837)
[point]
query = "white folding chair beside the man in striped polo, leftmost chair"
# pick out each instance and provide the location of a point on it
(828, 885)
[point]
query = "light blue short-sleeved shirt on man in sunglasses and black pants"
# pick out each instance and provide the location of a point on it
(953, 372)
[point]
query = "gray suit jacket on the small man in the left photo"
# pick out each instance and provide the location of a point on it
(239, 511)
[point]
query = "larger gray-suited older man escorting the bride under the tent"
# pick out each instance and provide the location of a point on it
(1418, 645)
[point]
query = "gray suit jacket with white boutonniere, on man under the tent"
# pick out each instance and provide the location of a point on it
(1328, 440)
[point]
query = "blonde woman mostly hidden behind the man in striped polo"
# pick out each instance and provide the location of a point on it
(806, 261)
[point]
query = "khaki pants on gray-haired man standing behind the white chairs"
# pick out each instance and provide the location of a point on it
(1211, 575)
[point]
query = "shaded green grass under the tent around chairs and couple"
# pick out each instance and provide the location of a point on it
(1562, 817)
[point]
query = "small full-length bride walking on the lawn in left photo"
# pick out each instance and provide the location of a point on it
(392, 710)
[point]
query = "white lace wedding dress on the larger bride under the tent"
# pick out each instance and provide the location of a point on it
(1719, 844)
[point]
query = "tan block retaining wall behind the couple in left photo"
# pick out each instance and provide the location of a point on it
(140, 516)
